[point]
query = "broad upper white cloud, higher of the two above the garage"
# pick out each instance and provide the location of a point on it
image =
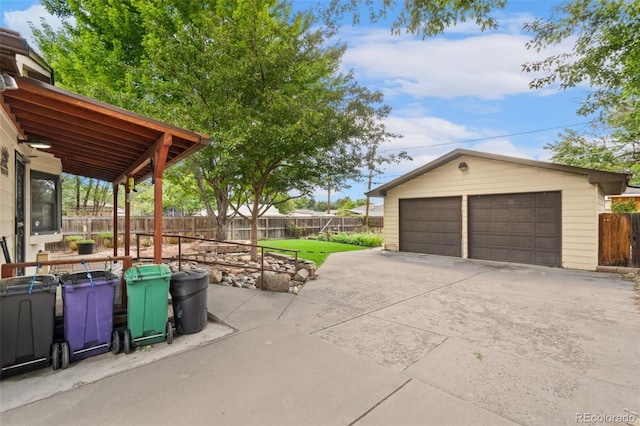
(486, 66)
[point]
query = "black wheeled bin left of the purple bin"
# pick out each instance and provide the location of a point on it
(27, 313)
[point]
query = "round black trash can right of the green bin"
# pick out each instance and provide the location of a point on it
(189, 298)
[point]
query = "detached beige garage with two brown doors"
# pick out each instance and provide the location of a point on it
(484, 206)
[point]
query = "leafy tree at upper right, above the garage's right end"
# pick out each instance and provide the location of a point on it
(606, 56)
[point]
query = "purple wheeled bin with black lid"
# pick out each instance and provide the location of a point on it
(88, 315)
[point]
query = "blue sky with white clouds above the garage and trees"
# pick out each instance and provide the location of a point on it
(464, 89)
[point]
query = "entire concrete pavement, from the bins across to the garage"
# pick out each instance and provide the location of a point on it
(381, 338)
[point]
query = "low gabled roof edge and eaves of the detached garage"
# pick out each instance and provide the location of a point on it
(611, 183)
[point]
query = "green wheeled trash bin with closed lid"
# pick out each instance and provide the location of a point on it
(147, 306)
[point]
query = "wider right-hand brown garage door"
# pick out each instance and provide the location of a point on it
(522, 228)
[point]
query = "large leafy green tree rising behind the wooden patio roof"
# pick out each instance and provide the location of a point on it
(265, 83)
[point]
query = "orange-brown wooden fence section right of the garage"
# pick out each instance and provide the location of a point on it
(619, 240)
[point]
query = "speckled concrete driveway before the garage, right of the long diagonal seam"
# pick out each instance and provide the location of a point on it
(532, 344)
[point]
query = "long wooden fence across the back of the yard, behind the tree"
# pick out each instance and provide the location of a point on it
(205, 227)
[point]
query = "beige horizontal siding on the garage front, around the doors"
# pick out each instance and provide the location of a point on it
(580, 200)
